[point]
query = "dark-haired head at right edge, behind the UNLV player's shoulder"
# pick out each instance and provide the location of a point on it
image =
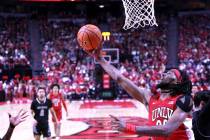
(201, 98)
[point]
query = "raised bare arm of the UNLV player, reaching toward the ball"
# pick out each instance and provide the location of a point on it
(141, 94)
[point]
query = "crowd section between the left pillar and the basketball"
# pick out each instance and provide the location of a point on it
(63, 61)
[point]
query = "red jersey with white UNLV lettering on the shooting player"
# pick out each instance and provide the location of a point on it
(160, 112)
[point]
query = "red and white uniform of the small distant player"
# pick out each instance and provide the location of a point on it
(57, 101)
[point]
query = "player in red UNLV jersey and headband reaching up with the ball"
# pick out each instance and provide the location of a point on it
(168, 109)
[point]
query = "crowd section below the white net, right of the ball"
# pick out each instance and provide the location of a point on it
(143, 53)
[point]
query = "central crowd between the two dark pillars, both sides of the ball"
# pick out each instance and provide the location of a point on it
(64, 60)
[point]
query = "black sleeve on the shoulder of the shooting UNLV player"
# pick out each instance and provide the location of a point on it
(185, 103)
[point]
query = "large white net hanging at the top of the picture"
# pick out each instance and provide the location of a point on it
(139, 13)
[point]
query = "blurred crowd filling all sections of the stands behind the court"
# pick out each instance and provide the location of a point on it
(143, 55)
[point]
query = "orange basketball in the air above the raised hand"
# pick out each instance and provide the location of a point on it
(89, 37)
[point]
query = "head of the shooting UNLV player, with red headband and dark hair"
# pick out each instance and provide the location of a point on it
(175, 82)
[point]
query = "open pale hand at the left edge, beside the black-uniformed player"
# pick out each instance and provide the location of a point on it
(20, 117)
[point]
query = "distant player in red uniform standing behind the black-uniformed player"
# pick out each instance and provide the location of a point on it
(57, 100)
